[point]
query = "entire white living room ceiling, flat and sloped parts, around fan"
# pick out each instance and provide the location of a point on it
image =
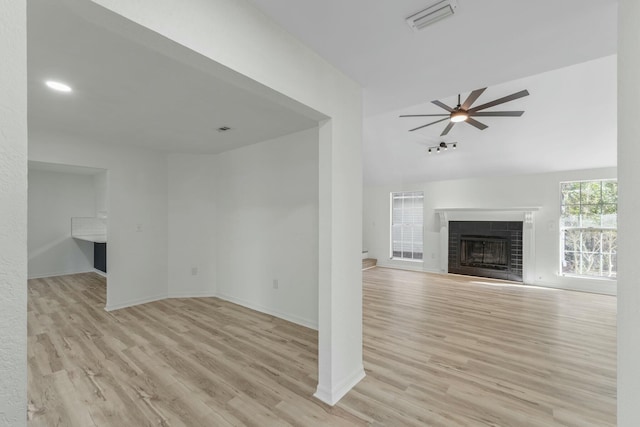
(563, 52)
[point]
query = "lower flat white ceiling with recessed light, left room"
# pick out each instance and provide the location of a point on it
(126, 93)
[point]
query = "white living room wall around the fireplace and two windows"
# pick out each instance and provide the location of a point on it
(540, 190)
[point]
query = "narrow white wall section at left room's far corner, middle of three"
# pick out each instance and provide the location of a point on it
(192, 225)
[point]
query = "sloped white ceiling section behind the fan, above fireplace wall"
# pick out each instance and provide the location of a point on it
(569, 124)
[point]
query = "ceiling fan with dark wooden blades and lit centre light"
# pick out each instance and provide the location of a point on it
(464, 113)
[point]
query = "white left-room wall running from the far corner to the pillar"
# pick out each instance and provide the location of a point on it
(268, 226)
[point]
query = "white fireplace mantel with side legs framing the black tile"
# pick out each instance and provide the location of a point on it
(524, 214)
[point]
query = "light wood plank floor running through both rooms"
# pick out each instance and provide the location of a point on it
(438, 350)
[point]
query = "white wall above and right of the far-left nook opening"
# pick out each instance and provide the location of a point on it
(137, 224)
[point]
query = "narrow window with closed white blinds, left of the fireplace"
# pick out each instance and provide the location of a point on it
(406, 225)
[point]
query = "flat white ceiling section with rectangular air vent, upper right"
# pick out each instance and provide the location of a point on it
(486, 42)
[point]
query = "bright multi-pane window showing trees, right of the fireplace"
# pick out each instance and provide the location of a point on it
(588, 228)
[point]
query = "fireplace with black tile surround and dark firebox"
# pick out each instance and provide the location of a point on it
(486, 249)
